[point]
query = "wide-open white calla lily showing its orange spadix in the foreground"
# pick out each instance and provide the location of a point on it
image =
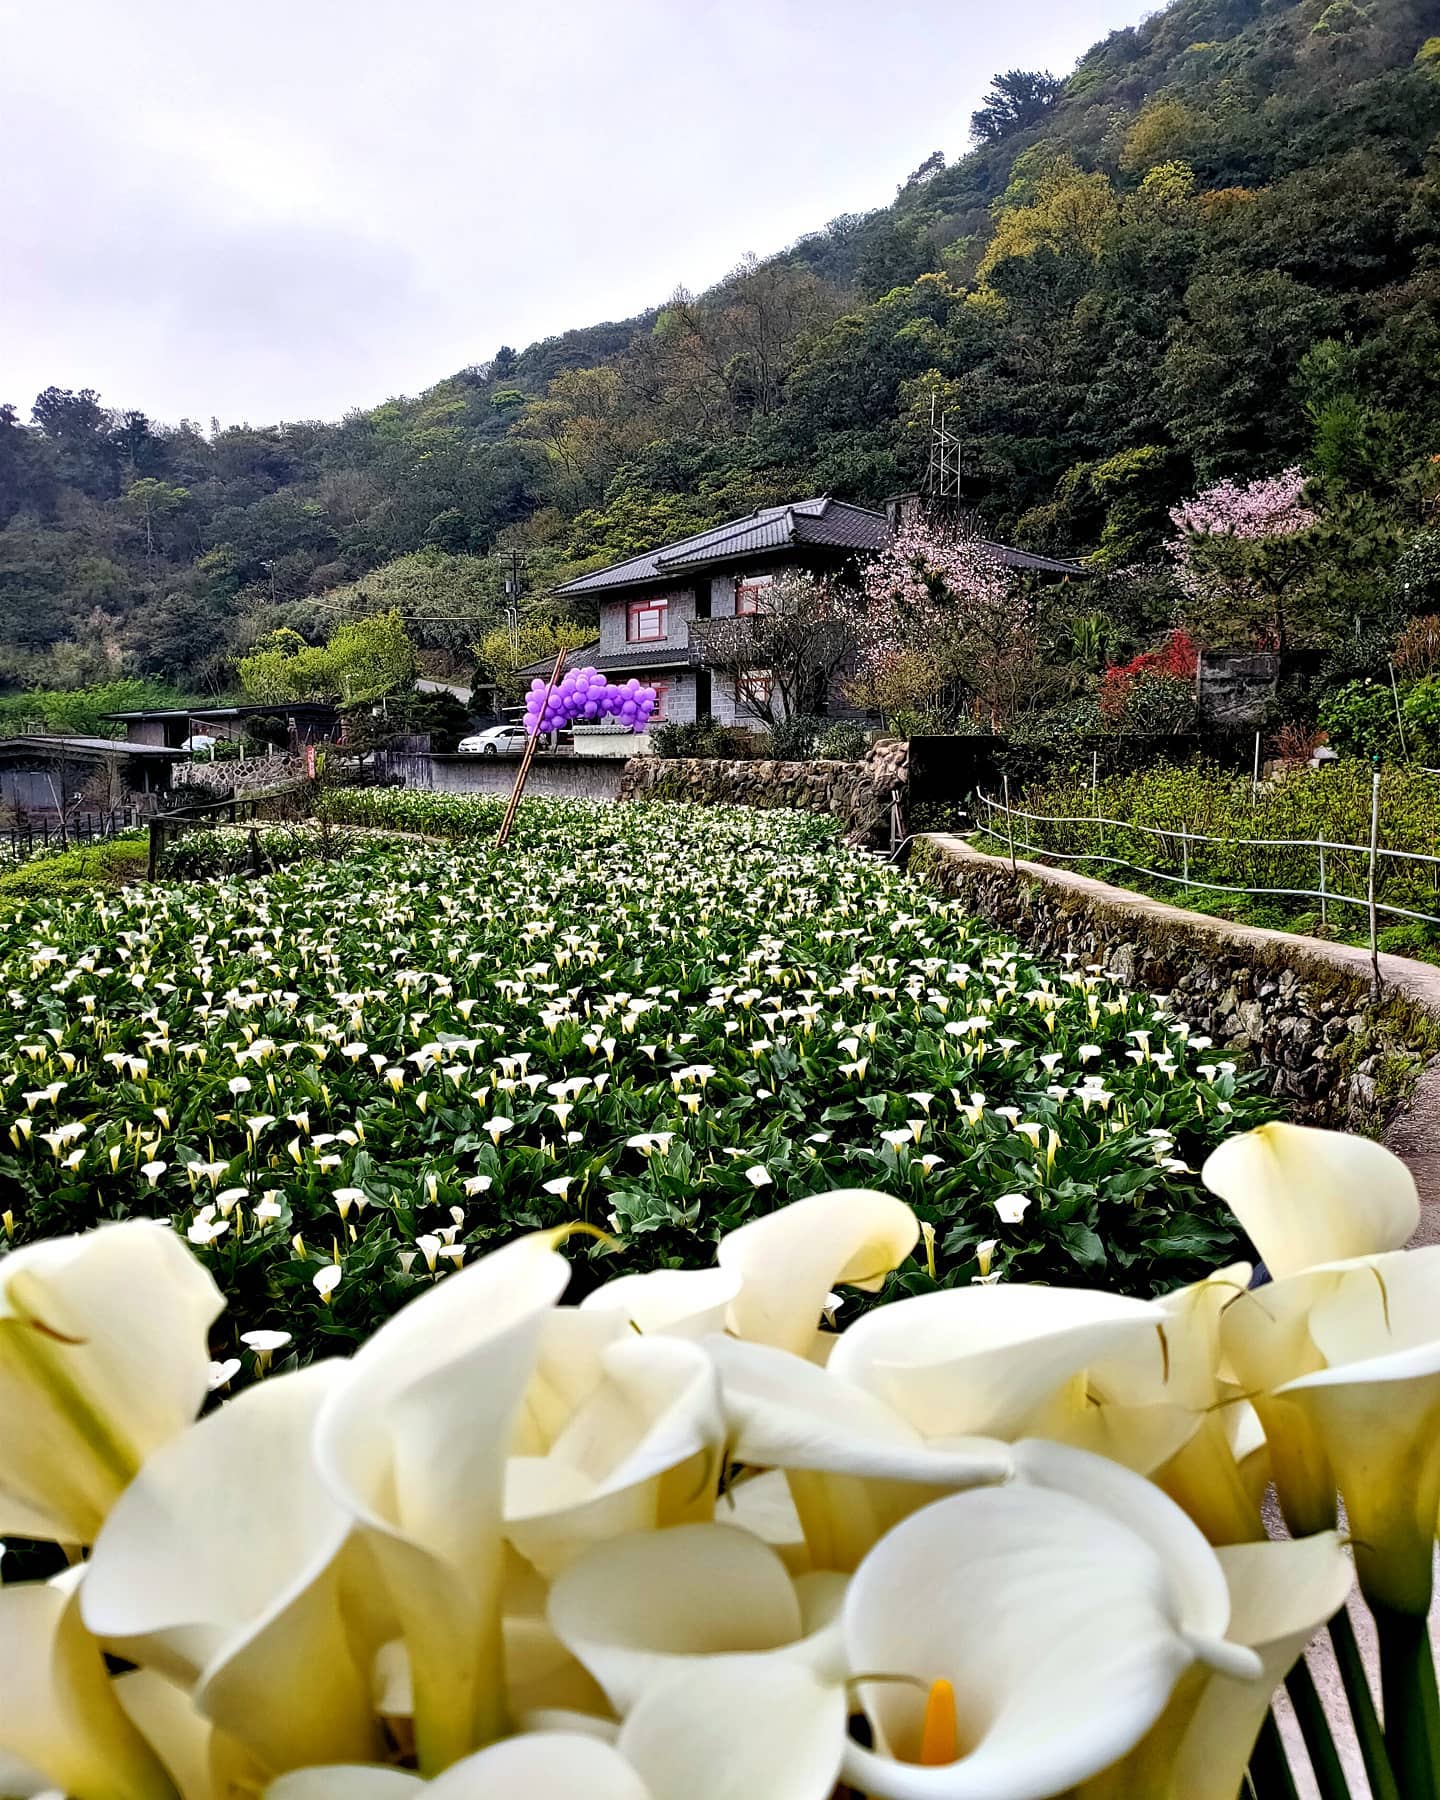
(1059, 1630)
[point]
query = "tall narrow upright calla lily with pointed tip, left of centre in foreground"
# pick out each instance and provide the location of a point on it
(409, 1444)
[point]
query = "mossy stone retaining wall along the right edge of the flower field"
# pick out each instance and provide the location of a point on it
(1299, 1009)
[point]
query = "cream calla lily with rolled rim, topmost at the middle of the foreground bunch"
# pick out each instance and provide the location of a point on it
(791, 1261)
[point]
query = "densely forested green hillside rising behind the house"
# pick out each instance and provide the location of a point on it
(1212, 251)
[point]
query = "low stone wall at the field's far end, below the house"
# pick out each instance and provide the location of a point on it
(858, 795)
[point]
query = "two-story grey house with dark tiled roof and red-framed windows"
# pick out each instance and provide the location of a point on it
(649, 604)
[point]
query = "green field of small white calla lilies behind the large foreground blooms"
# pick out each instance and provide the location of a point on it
(345, 1079)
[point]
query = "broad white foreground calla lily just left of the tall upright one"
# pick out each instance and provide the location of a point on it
(262, 1635)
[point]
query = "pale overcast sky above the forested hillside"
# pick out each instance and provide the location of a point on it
(264, 210)
